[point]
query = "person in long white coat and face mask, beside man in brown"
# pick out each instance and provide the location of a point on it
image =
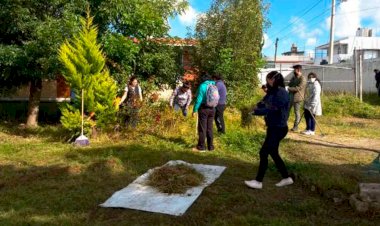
(313, 106)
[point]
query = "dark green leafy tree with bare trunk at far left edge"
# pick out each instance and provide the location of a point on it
(30, 34)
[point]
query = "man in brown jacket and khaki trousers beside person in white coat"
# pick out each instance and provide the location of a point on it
(296, 90)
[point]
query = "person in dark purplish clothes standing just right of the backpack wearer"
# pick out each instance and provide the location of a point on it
(219, 110)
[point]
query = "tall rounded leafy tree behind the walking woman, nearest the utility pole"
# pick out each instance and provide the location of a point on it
(230, 36)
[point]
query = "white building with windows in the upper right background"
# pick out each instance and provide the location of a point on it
(344, 48)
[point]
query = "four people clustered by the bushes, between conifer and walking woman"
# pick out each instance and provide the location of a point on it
(180, 100)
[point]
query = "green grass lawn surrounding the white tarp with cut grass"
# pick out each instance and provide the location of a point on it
(46, 181)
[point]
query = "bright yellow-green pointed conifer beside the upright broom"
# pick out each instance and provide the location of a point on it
(84, 69)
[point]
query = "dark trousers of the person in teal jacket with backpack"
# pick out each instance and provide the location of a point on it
(205, 126)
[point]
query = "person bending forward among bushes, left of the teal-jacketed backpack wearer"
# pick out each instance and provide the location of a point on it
(181, 98)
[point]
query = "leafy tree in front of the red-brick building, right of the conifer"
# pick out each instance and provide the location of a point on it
(129, 30)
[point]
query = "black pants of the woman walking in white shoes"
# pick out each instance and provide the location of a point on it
(270, 147)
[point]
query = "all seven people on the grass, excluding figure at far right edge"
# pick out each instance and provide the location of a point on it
(210, 103)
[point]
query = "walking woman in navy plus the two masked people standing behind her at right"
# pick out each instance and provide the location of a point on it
(275, 107)
